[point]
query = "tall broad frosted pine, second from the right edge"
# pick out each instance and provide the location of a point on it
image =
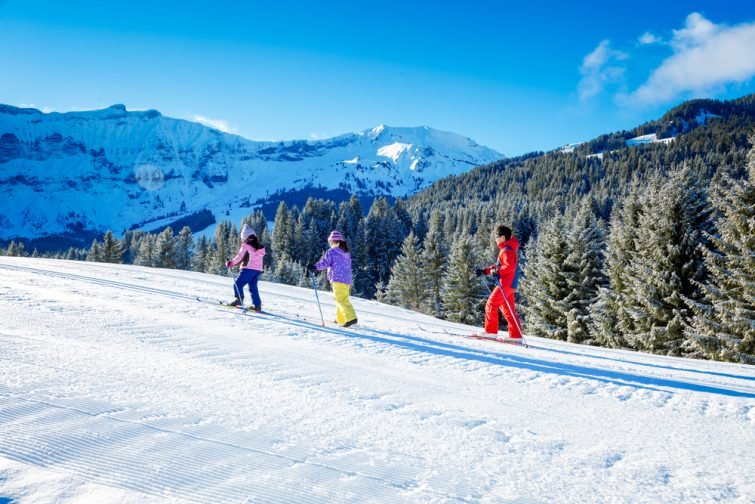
(669, 266)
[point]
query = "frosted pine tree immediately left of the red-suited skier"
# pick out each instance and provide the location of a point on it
(462, 292)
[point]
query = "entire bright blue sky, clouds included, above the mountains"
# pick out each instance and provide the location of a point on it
(516, 77)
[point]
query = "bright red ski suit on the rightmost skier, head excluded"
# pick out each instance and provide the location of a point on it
(506, 270)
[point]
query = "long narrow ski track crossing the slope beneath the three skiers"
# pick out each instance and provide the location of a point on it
(542, 365)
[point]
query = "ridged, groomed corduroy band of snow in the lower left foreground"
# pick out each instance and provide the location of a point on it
(111, 451)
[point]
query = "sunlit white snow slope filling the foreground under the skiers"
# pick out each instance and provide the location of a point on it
(118, 386)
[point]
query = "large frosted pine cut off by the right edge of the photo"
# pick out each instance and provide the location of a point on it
(724, 328)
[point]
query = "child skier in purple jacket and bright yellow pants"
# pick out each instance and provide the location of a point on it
(337, 260)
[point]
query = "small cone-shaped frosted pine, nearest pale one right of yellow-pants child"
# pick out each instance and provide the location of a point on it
(408, 285)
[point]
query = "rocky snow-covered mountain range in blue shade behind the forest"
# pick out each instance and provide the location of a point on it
(68, 173)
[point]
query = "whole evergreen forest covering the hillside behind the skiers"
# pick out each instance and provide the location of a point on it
(649, 248)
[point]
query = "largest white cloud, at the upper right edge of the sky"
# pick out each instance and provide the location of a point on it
(706, 58)
